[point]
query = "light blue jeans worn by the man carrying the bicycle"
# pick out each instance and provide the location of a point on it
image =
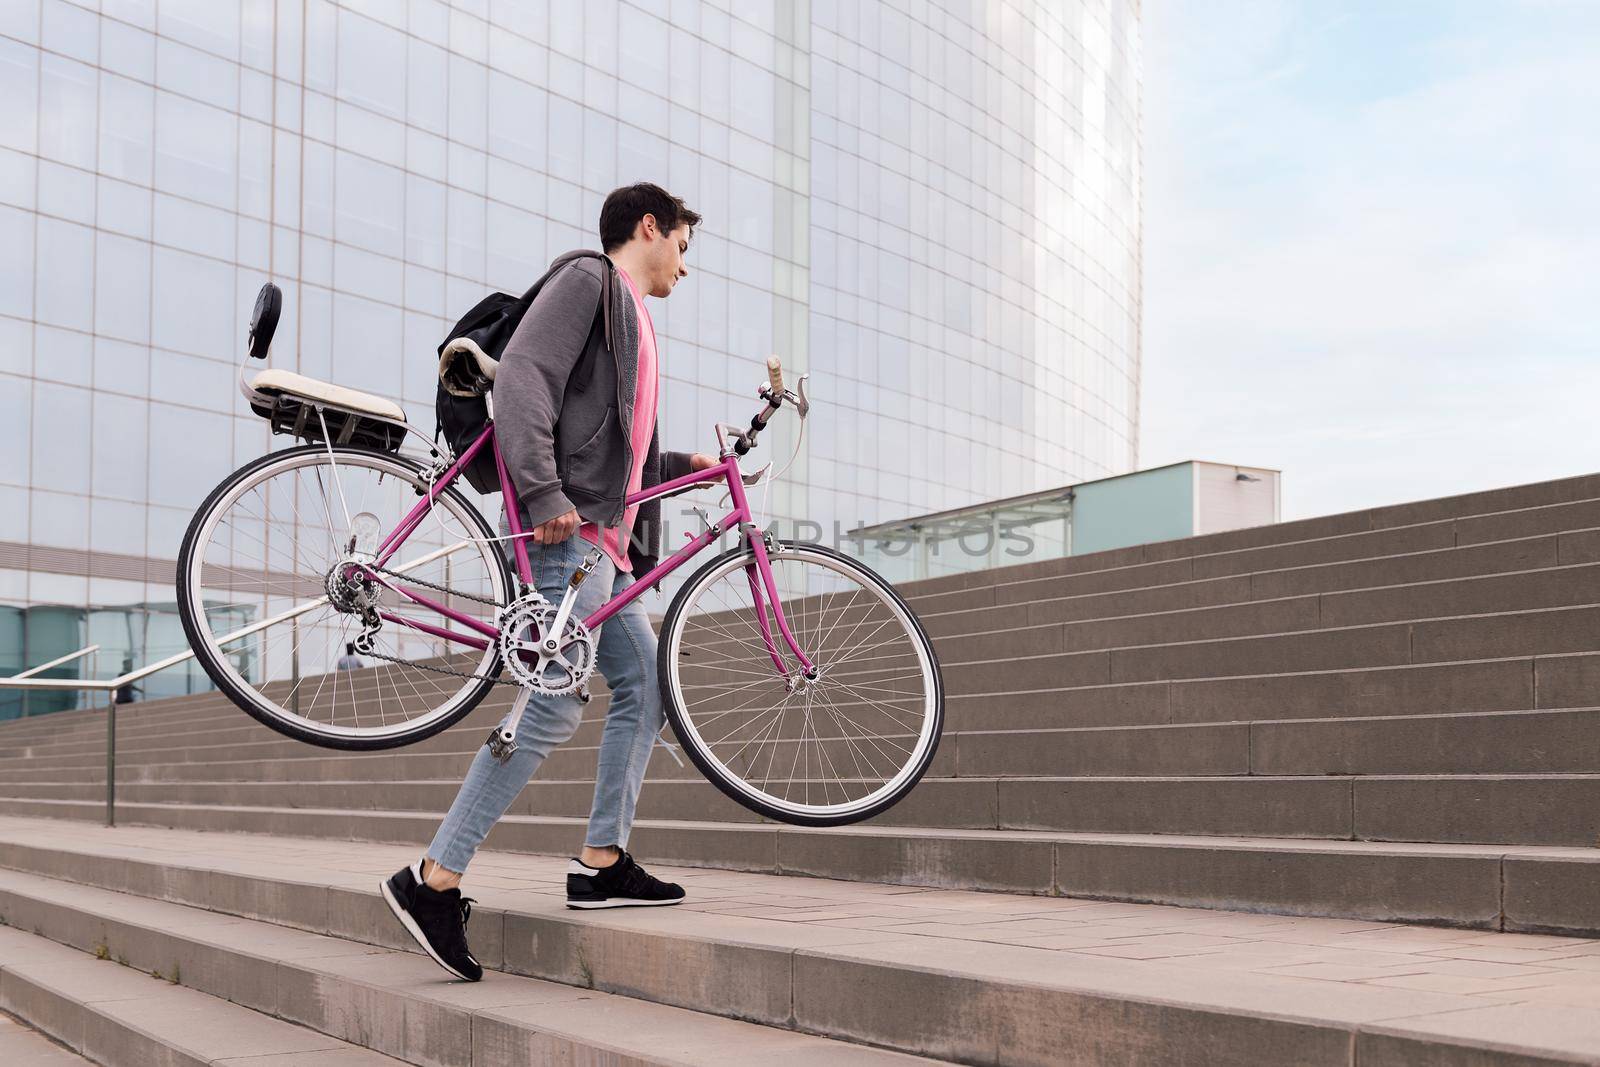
(626, 655)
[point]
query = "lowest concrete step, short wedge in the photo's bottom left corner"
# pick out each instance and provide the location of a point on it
(54, 989)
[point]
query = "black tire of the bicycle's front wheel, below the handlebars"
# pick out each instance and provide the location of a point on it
(710, 770)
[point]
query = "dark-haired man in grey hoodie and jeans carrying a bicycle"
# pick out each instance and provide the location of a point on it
(575, 401)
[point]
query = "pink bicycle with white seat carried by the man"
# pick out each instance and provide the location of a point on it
(798, 681)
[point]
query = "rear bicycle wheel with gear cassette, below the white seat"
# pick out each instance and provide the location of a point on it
(268, 618)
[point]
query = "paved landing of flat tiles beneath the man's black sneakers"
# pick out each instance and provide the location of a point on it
(1489, 967)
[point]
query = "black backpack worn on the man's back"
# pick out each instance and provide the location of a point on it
(460, 402)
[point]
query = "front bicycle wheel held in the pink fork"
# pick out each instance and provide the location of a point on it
(830, 751)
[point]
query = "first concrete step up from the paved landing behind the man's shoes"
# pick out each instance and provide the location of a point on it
(1492, 887)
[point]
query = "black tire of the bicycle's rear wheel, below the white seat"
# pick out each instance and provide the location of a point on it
(226, 685)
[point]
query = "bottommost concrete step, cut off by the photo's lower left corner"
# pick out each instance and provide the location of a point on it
(122, 1017)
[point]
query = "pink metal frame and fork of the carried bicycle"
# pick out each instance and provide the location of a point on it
(759, 575)
